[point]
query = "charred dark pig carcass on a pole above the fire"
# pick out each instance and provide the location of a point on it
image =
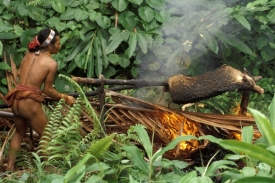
(185, 89)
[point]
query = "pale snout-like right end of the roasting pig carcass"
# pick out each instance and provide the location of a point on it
(249, 82)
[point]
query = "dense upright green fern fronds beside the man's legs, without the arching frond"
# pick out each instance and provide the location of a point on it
(62, 134)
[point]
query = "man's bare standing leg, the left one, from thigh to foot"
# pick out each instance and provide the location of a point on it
(15, 144)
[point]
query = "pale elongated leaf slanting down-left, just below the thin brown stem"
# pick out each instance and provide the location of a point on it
(116, 39)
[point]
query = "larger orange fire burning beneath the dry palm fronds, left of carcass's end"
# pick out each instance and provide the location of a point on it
(175, 125)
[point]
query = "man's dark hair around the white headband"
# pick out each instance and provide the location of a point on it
(41, 37)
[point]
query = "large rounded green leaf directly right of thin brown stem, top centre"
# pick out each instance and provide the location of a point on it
(128, 19)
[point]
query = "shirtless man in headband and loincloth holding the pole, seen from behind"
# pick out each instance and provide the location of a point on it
(37, 68)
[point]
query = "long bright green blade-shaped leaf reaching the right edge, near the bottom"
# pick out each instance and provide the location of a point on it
(253, 151)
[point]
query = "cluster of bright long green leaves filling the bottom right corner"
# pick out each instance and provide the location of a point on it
(258, 157)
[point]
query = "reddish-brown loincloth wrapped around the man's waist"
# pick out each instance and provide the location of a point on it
(23, 92)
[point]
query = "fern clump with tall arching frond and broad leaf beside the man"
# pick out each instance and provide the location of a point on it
(62, 138)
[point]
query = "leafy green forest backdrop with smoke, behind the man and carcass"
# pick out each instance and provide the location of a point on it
(147, 39)
